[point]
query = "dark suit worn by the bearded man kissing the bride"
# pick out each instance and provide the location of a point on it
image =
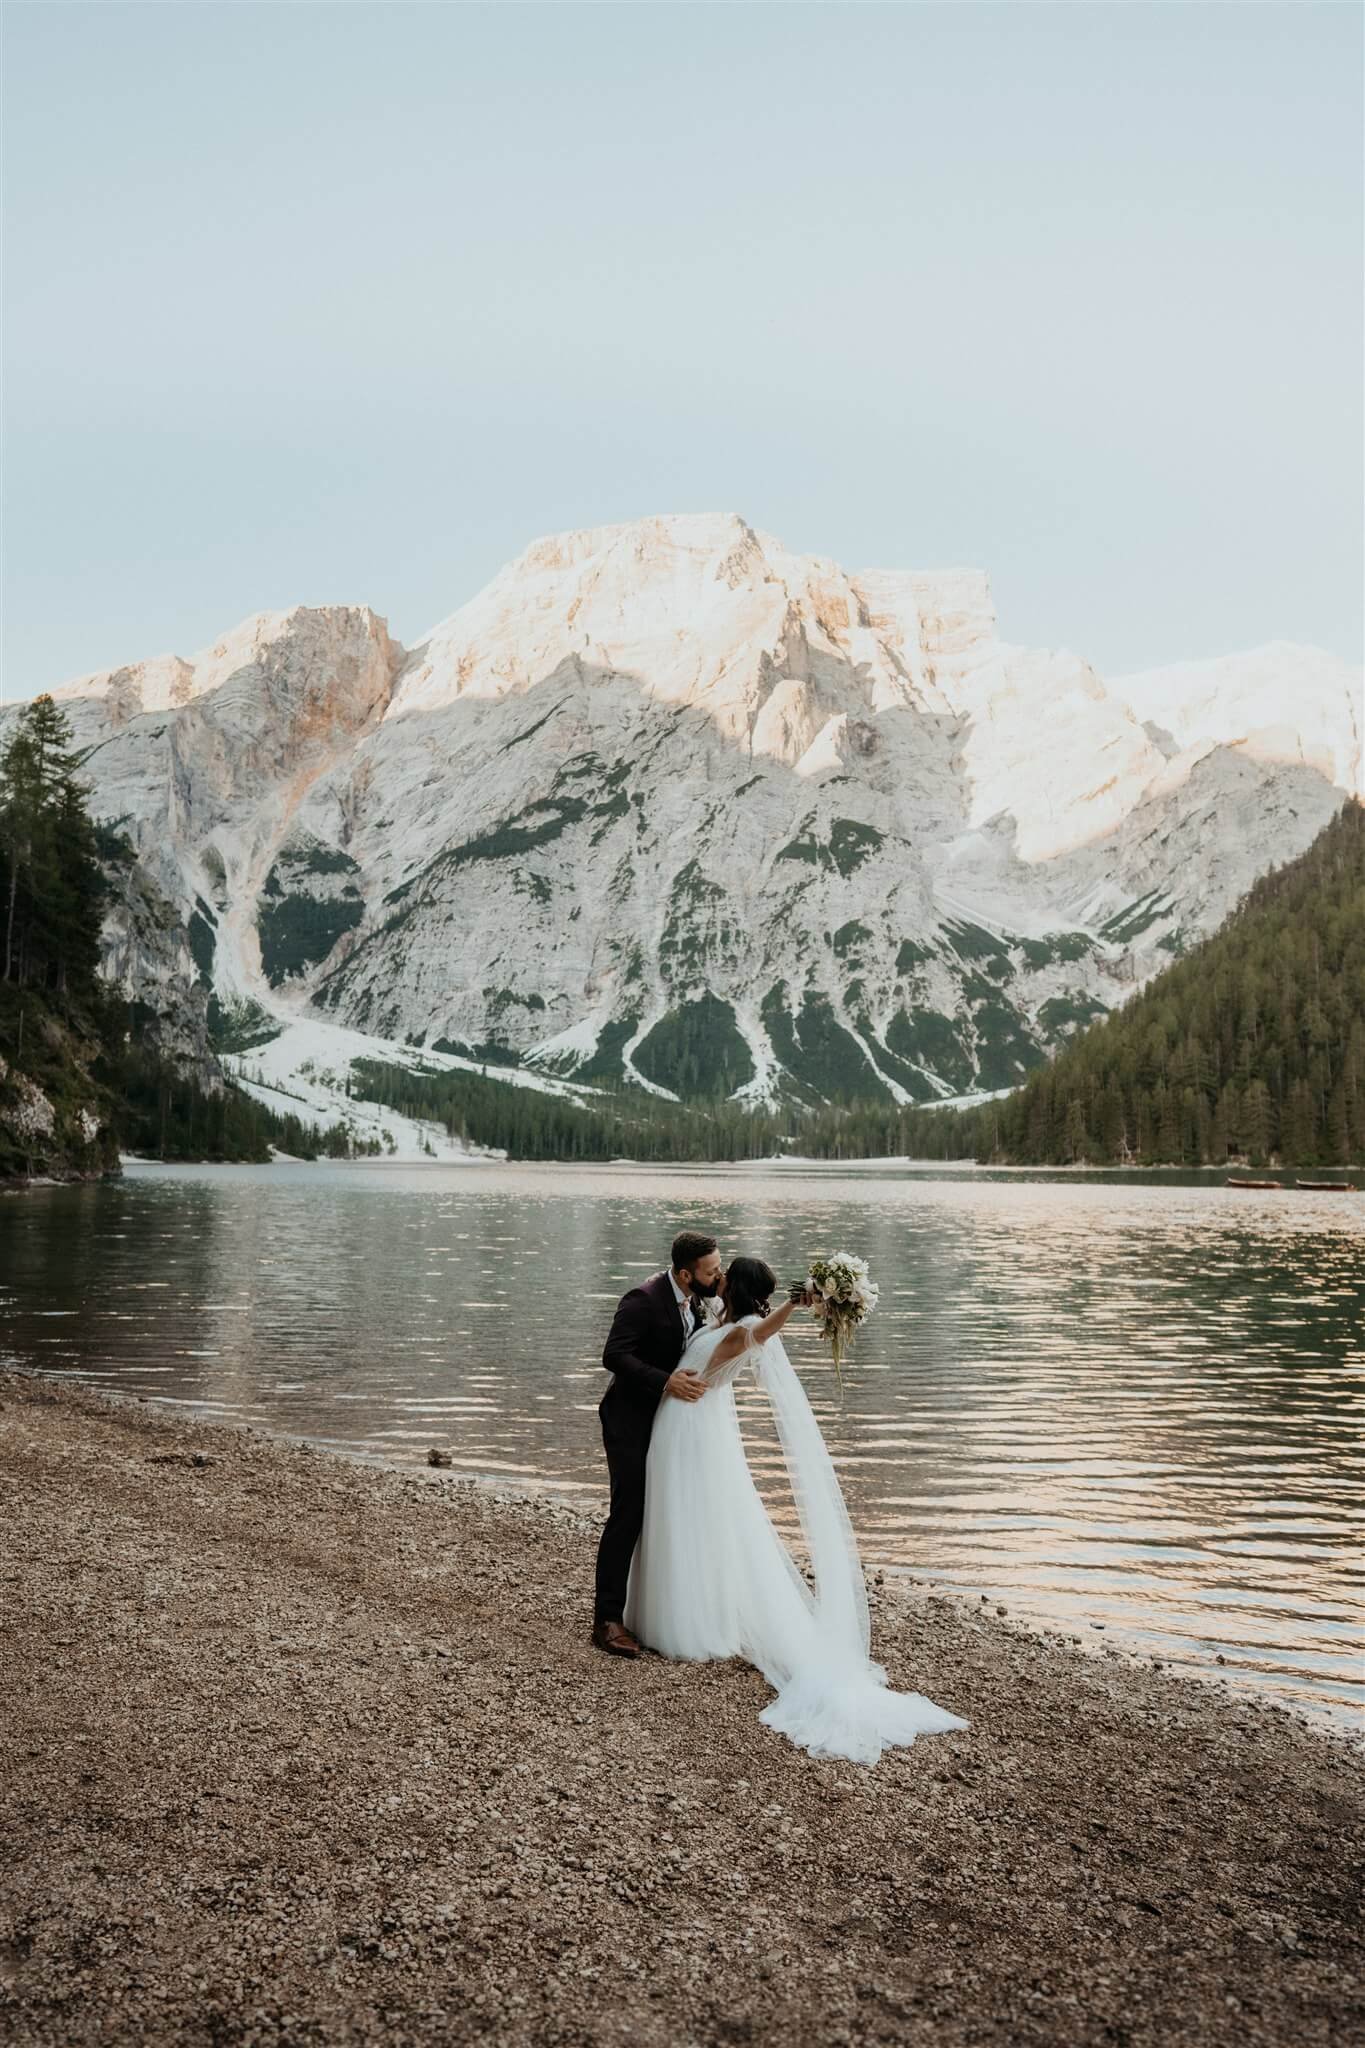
(644, 1349)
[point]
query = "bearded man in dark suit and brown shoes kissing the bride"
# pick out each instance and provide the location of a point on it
(644, 1353)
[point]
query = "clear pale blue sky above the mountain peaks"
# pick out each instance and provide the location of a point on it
(347, 304)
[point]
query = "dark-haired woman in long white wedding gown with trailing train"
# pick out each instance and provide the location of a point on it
(711, 1576)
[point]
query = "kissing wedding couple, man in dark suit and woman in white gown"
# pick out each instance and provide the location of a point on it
(691, 1564)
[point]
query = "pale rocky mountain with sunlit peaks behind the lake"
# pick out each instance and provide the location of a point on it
(674, 806)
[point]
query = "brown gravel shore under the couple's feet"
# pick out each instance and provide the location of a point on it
(310, 1752)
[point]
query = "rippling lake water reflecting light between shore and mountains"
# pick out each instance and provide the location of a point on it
(1098, 1400)
